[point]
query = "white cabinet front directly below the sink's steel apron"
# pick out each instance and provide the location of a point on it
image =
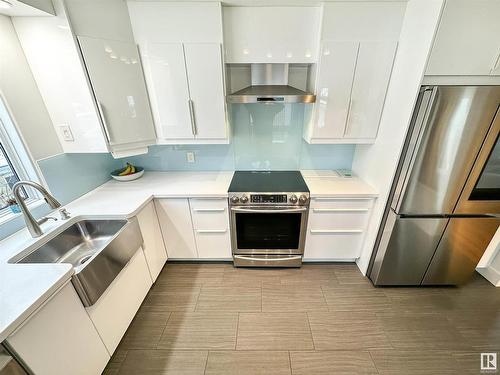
(116, 308)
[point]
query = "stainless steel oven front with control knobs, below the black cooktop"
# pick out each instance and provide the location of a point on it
(268, 229)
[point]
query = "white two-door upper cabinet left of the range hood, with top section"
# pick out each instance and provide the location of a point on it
(180, 47)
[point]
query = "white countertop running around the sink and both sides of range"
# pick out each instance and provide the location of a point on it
(24, 287)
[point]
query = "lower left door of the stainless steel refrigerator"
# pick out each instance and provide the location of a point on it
(405, 249)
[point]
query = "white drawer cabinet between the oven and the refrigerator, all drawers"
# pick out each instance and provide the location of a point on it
(336, 228)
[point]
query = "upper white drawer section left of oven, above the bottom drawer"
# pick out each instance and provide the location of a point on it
(209, 214)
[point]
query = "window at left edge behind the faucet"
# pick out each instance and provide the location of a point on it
(15, 163)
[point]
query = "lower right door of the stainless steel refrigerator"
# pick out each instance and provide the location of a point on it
(460, 249)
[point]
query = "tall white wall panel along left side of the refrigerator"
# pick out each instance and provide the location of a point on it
(377, 163)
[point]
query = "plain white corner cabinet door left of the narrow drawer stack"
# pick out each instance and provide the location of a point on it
(174, 215)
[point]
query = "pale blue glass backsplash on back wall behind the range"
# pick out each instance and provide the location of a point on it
(264, 136)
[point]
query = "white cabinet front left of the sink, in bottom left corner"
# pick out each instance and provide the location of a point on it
(60, 338)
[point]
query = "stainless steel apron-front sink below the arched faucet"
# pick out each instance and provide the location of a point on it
(98, 249)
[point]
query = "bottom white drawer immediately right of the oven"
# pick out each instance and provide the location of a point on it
(333, 245)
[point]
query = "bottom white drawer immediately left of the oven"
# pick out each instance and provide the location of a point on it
(213, 244)
